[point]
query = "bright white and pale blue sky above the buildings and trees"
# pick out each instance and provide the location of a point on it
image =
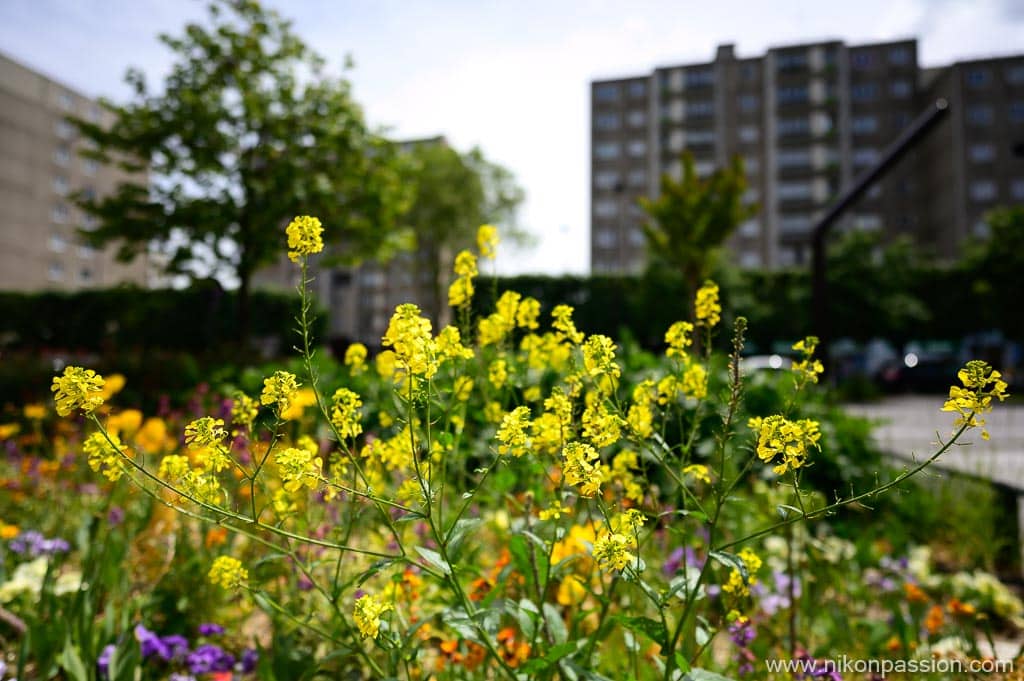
(510, 77)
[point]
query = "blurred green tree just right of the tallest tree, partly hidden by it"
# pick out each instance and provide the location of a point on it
(455, 194)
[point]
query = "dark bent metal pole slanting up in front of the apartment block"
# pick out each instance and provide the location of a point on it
(820, 291)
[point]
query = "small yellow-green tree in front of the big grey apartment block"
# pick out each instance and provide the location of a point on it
(693, 218)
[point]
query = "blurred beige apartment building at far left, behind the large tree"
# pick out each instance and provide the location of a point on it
(40, 168)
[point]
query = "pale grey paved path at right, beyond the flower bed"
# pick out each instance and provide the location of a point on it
(908, 428)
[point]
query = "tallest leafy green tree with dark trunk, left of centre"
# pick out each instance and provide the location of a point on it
(247, 133)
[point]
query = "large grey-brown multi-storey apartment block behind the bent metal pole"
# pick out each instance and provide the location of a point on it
(806, 120)
